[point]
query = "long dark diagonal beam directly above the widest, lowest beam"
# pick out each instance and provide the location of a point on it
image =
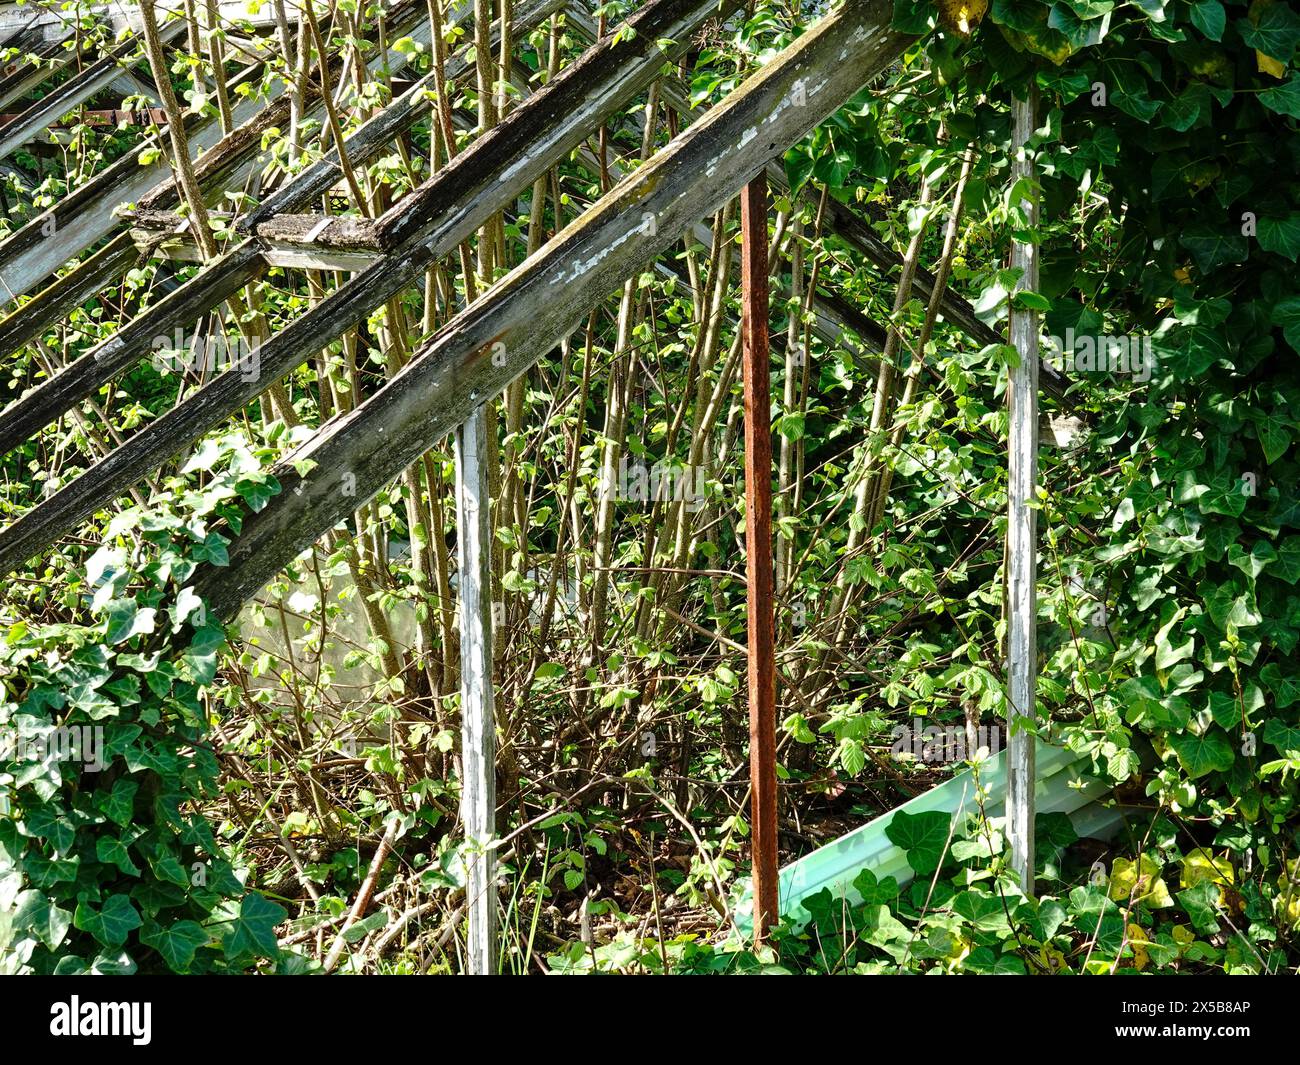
(476, 185)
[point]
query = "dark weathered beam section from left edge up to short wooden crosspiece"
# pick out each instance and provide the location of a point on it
(84, 378)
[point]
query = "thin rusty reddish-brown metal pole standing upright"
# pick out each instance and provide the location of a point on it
(759, 553)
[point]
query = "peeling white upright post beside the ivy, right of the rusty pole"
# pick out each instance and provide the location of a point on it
(1022, 521)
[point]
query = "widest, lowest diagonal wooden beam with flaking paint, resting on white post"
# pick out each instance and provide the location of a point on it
(540, 302)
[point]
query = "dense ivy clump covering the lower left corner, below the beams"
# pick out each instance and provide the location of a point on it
(107, 861)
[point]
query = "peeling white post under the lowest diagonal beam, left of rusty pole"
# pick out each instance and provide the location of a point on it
(478, 717)
